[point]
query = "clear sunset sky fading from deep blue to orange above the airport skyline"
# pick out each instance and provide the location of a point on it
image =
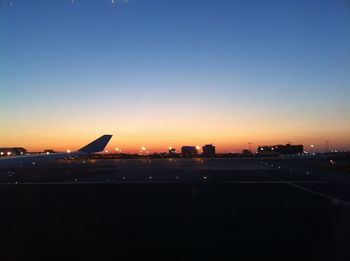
(160, 73)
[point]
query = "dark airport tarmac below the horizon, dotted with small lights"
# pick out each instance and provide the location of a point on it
(214, 210)
